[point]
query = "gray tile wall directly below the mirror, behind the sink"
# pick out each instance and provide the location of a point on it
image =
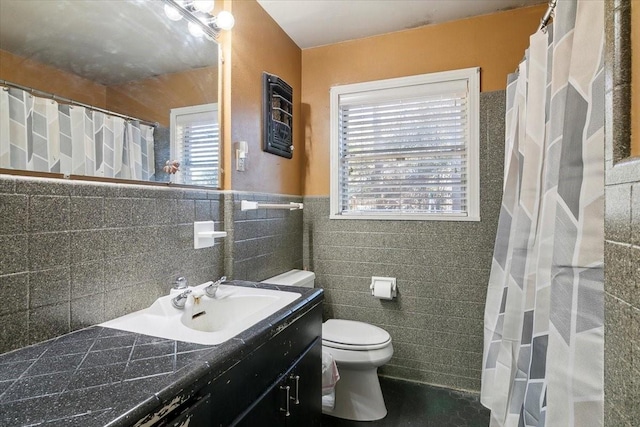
(75, 254)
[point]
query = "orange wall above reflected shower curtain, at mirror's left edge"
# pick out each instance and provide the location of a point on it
(27, 72)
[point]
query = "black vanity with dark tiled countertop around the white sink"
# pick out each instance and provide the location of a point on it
(133, 380)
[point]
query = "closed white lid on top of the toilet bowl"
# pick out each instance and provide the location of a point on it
(348, 333)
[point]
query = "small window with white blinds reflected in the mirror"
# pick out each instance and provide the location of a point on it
(195, 143)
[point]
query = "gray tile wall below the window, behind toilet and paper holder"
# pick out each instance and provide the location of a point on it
(442, 269)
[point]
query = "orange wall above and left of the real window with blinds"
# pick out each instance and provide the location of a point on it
(496, 43)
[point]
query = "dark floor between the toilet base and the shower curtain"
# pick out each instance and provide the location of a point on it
(419, 405)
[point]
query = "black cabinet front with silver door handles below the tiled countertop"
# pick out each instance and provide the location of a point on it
(254, 391)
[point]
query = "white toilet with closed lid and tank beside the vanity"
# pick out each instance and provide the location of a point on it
(358, 349)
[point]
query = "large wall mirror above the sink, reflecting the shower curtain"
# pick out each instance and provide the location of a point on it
(127, 60)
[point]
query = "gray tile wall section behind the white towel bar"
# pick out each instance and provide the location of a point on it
(265, 242)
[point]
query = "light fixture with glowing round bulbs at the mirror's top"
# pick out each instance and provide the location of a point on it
(197, 13)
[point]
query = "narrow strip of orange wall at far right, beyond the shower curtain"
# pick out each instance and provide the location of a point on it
(635, 78)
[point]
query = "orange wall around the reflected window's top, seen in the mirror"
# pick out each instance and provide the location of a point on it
(151, 99)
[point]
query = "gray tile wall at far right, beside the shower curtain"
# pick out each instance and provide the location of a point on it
(622, 230)
